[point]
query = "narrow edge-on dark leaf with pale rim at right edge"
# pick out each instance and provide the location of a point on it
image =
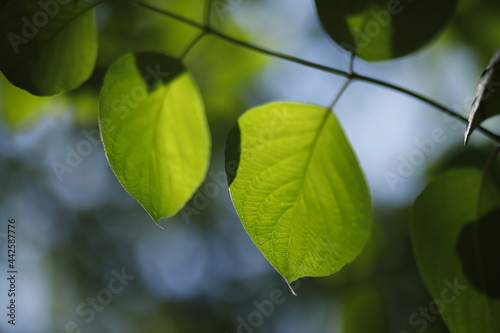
(487, 101)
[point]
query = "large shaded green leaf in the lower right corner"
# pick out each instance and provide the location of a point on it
(455, 233)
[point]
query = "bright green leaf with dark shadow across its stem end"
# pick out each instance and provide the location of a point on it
(154, 131)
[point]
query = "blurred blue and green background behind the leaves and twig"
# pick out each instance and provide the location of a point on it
(79, 231)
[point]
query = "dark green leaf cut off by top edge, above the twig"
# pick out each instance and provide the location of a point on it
(384, 29)
